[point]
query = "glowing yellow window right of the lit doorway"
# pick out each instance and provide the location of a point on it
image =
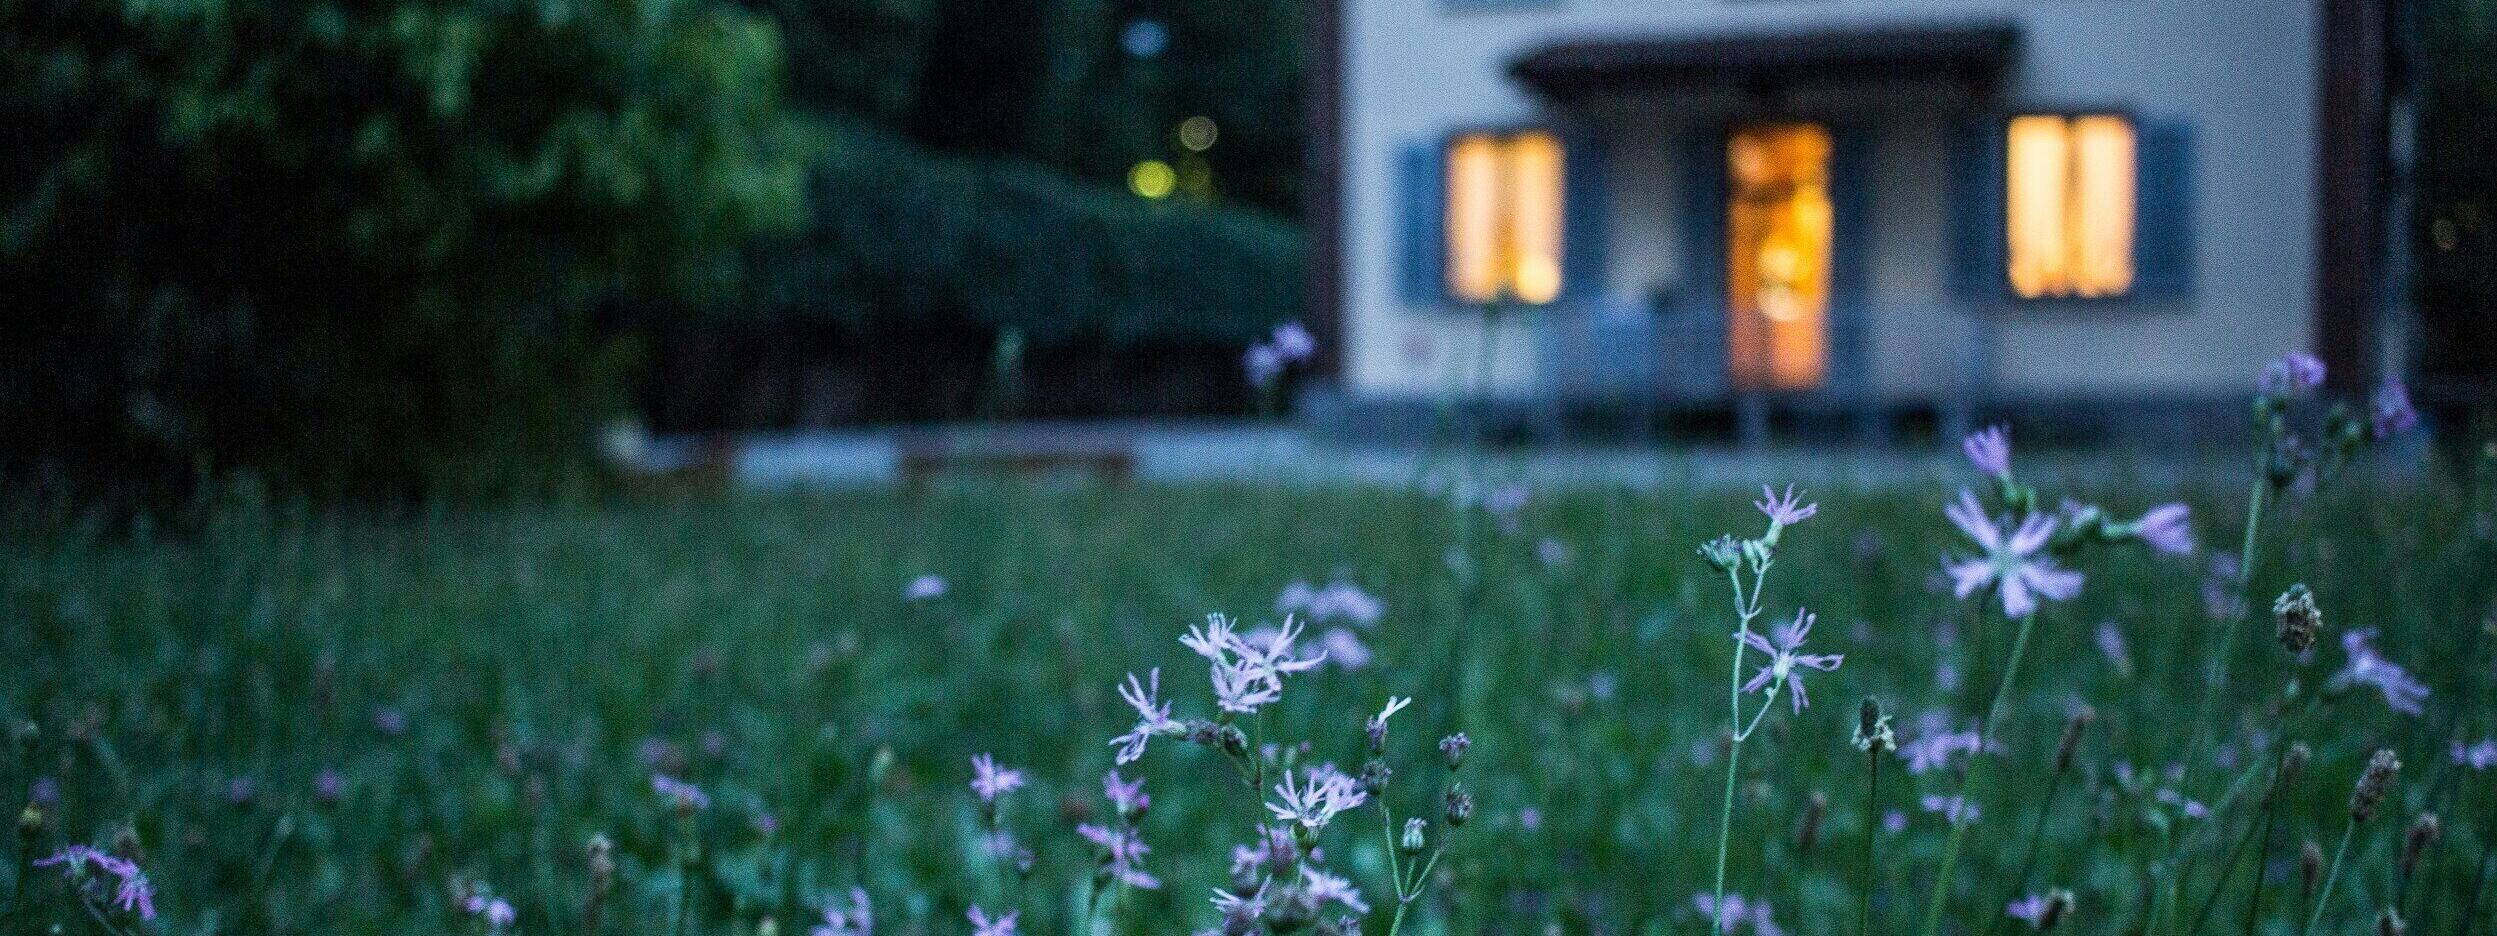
(2069, 206)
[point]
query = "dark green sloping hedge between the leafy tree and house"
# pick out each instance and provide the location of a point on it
(903, 236)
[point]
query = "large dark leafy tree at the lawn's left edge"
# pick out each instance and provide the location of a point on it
(363, 246)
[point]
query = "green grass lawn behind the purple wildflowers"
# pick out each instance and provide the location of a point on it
(541, 653)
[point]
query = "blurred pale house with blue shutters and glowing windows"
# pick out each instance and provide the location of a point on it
(1874, 211)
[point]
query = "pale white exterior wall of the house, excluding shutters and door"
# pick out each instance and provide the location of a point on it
(2239, 71)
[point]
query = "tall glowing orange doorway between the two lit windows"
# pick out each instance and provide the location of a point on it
(1779, 256)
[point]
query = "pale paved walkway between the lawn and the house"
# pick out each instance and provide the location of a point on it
(1285, 456)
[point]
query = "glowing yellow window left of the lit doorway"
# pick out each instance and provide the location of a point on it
(1504, 216)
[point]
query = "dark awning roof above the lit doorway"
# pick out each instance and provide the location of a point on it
(1966, 54)
